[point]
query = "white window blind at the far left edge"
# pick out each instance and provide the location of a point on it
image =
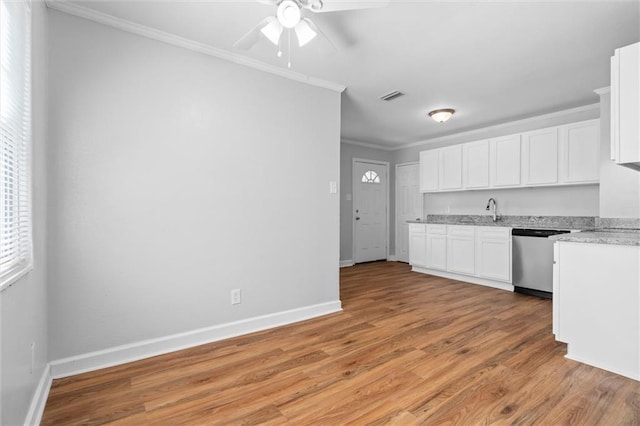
(16, 257)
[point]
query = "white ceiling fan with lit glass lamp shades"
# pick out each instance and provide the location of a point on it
(289, 17)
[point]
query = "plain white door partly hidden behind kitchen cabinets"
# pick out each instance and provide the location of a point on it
(408, 205)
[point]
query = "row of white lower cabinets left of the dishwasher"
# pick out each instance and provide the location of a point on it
(478, 254)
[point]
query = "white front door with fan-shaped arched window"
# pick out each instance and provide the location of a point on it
(370, 181)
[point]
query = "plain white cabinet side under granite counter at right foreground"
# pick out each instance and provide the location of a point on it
(596, 300)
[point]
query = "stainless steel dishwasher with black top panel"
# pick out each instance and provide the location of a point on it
(532, 261)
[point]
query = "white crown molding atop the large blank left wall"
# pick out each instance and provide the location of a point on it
(175, 40)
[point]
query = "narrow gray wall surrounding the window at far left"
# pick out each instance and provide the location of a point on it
(23, 306)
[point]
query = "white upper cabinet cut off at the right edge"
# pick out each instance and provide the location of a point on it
(625, 106)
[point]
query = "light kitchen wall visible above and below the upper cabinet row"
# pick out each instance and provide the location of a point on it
(560, 201)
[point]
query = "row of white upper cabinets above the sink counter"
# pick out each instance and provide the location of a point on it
(560, 155)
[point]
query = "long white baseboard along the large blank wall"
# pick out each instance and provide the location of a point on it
(153, 347)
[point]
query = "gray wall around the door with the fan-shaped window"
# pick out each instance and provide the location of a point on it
(347, 153)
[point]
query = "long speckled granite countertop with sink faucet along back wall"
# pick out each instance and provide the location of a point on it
(543, 222)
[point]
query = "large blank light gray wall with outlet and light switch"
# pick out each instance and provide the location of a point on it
(176, 177)
